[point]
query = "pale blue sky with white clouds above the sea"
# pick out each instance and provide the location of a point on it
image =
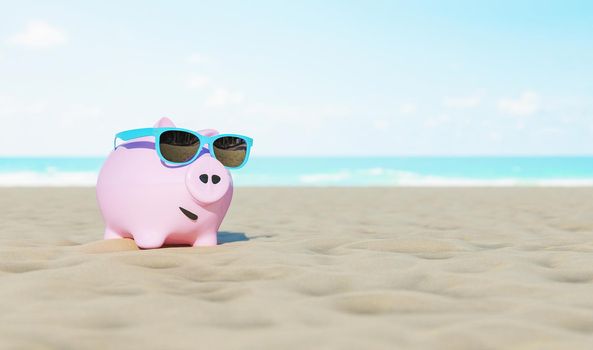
(302, 78)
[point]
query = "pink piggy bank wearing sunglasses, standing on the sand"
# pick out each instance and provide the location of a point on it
(154, 202)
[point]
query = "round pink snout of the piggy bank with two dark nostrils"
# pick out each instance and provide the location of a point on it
(207, 180)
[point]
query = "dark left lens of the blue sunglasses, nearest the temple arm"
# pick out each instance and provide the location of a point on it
(178, 146)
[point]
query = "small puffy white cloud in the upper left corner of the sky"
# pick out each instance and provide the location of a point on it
(39, 34)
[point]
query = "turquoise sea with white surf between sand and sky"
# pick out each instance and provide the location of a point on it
(344, 171)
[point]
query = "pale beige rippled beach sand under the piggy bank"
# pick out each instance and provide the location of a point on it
(301, 268)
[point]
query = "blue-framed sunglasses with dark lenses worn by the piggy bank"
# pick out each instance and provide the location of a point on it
(181, 146)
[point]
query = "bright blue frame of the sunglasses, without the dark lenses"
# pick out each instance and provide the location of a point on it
(204, 140)
